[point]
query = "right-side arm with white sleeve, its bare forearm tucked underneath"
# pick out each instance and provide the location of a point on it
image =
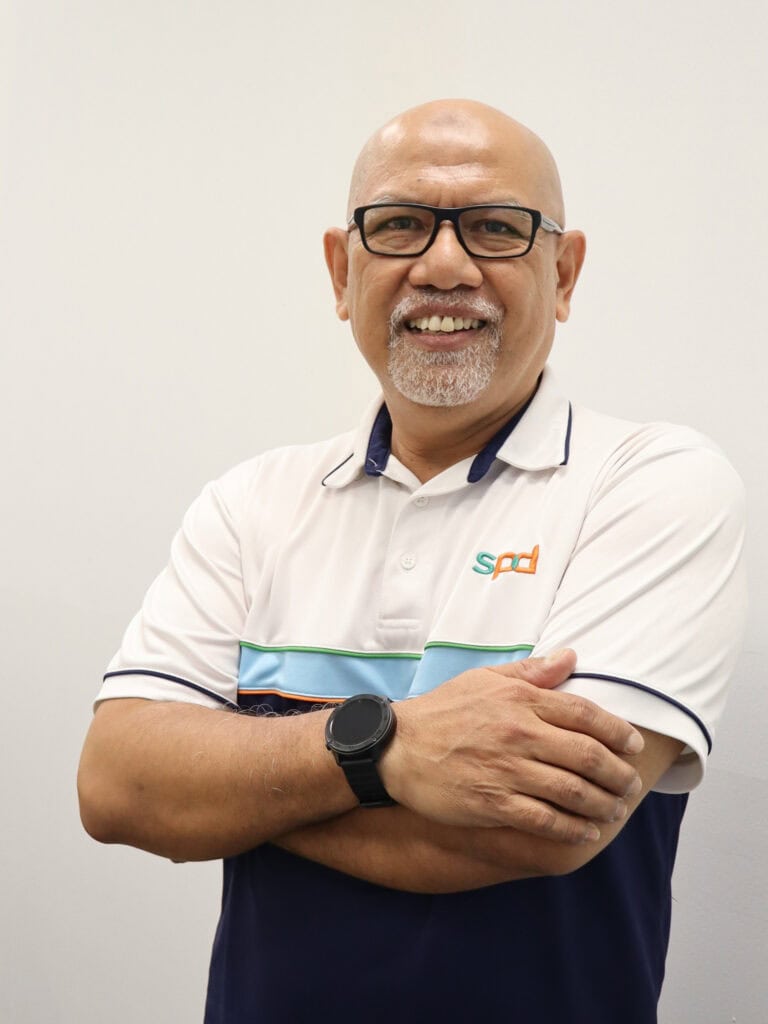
(690, 531)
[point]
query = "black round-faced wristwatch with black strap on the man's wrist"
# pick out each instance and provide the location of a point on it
(357, 734)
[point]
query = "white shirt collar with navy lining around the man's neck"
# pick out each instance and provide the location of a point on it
(537, 438)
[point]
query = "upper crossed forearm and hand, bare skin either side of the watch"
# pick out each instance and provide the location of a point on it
(493, 747)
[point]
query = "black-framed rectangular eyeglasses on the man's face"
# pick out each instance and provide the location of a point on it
(486, 232)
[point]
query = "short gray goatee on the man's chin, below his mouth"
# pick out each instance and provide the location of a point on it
(443, 378)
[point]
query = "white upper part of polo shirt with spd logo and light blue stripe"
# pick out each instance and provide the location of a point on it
(300, 578)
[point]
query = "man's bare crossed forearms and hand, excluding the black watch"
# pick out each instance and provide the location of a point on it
(497, 776)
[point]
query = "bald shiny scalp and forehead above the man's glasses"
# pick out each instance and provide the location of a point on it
(450, 141)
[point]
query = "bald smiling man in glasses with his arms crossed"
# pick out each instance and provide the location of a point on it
(475, 519)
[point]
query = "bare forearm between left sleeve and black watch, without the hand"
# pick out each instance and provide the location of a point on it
(192, 784)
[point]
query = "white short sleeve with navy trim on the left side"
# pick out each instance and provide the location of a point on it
(185, 644)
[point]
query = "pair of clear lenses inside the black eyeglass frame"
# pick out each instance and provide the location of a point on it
(403, 231)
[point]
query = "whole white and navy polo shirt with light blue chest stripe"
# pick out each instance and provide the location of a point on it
(314, 573)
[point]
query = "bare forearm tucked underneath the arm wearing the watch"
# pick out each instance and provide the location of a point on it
(399, 849)
